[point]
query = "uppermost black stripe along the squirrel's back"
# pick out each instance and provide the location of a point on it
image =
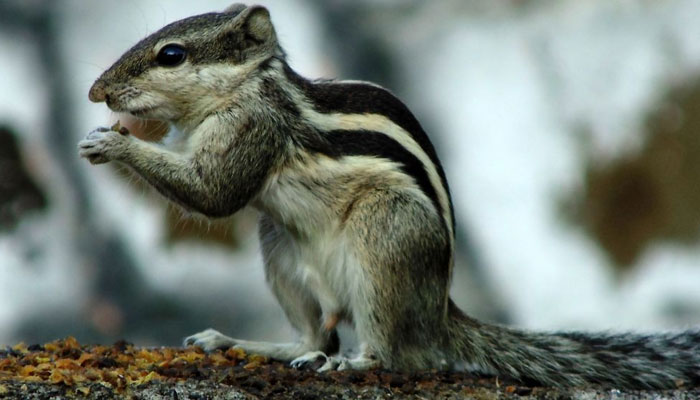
(357, 98)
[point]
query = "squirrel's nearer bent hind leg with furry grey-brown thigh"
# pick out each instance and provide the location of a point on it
(400, 278)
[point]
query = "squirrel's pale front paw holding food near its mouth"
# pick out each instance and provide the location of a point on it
(103, 145)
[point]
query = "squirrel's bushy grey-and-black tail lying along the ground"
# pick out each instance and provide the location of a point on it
(629, 361)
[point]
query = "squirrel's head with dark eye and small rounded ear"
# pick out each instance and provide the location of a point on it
(190, 67)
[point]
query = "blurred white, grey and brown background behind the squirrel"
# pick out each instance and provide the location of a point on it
(569, 131)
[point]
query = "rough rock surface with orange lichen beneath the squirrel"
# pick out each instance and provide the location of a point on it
(65, 369)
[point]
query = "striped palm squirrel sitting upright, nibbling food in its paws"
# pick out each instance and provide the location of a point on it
(356, 221)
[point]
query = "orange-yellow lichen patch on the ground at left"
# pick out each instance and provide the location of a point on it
(66, 362)
